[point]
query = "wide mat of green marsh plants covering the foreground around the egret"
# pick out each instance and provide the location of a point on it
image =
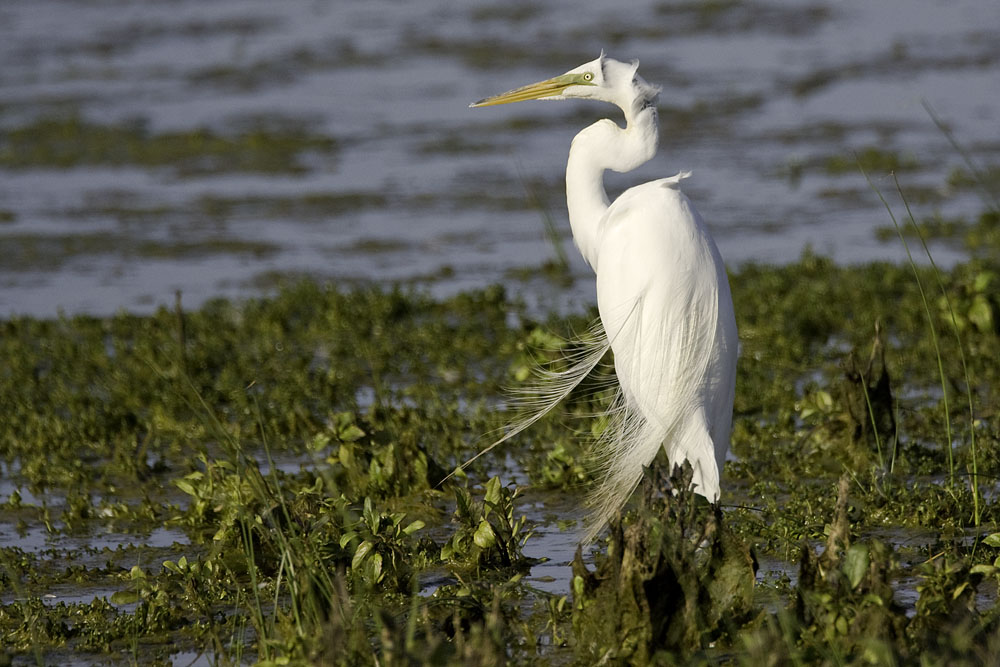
(293, 452)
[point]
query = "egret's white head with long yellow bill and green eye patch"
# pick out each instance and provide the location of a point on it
(601, 79)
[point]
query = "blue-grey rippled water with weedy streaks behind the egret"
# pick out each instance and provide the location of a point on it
(768, 105)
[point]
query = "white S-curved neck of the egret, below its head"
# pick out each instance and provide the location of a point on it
(596, 148)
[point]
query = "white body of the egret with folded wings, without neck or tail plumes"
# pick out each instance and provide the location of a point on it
(658, 296)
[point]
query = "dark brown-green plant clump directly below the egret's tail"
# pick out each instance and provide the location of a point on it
(675, 579)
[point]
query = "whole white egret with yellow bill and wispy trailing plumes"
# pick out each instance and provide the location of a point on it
(662, 294)
